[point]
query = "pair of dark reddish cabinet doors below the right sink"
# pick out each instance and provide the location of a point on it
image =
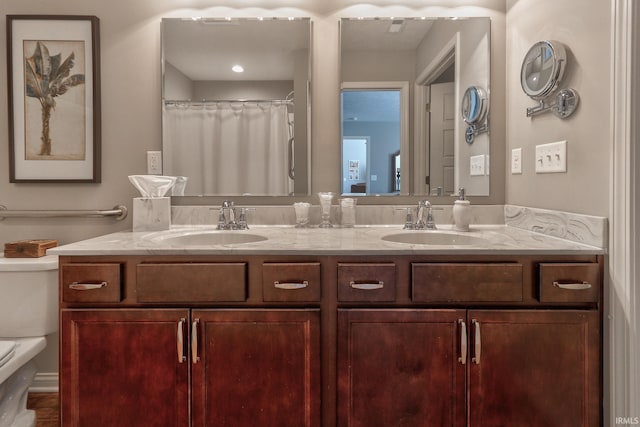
(524, 368)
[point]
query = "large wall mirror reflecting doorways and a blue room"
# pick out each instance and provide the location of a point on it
(402, 129)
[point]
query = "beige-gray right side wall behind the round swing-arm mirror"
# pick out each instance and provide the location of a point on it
(585, 28)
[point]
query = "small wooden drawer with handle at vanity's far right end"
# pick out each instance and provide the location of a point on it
(569, 282)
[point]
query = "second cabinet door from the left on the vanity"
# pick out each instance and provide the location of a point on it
(256, 368)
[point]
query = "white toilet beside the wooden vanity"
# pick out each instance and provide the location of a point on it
(28, 312)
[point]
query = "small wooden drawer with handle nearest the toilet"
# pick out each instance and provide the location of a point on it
(94, 282)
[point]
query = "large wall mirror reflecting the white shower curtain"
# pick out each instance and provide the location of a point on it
(235, 105)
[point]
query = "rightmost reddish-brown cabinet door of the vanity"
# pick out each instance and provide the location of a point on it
(534, 368)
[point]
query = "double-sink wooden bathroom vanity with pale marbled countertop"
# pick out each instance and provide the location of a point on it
(312, 327)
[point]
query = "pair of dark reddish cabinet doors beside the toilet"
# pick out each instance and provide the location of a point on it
(247, 367)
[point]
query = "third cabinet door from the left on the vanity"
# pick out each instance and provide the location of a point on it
(401, 368)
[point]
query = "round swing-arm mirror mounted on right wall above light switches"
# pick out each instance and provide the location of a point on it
(542, 71)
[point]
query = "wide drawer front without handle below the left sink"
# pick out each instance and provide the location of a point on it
(192, 282)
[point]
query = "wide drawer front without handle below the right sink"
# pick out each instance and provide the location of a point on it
(466, 282)
